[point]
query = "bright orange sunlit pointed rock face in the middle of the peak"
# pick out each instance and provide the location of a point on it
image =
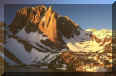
(48, 25)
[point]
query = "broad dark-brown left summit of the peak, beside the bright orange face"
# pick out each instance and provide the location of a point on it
(25, 16)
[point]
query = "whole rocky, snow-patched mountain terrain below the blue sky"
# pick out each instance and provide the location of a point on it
(38, 35)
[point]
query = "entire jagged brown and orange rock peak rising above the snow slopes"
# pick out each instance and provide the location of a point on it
(44, 20)
